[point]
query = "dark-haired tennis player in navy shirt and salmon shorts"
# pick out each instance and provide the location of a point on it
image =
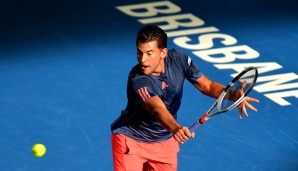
(146, 135)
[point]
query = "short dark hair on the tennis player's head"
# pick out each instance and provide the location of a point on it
(151, 33)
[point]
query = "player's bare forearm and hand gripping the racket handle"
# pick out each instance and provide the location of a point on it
(158, 109)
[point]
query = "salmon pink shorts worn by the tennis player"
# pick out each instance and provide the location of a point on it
(132, 155)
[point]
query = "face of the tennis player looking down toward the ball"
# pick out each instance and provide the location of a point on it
(151, 58)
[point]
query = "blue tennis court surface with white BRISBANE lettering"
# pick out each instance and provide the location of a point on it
(64, 65)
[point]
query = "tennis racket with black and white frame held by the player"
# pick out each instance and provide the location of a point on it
(234, 93)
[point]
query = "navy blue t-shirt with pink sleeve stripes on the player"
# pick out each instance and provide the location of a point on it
(135, 121)
